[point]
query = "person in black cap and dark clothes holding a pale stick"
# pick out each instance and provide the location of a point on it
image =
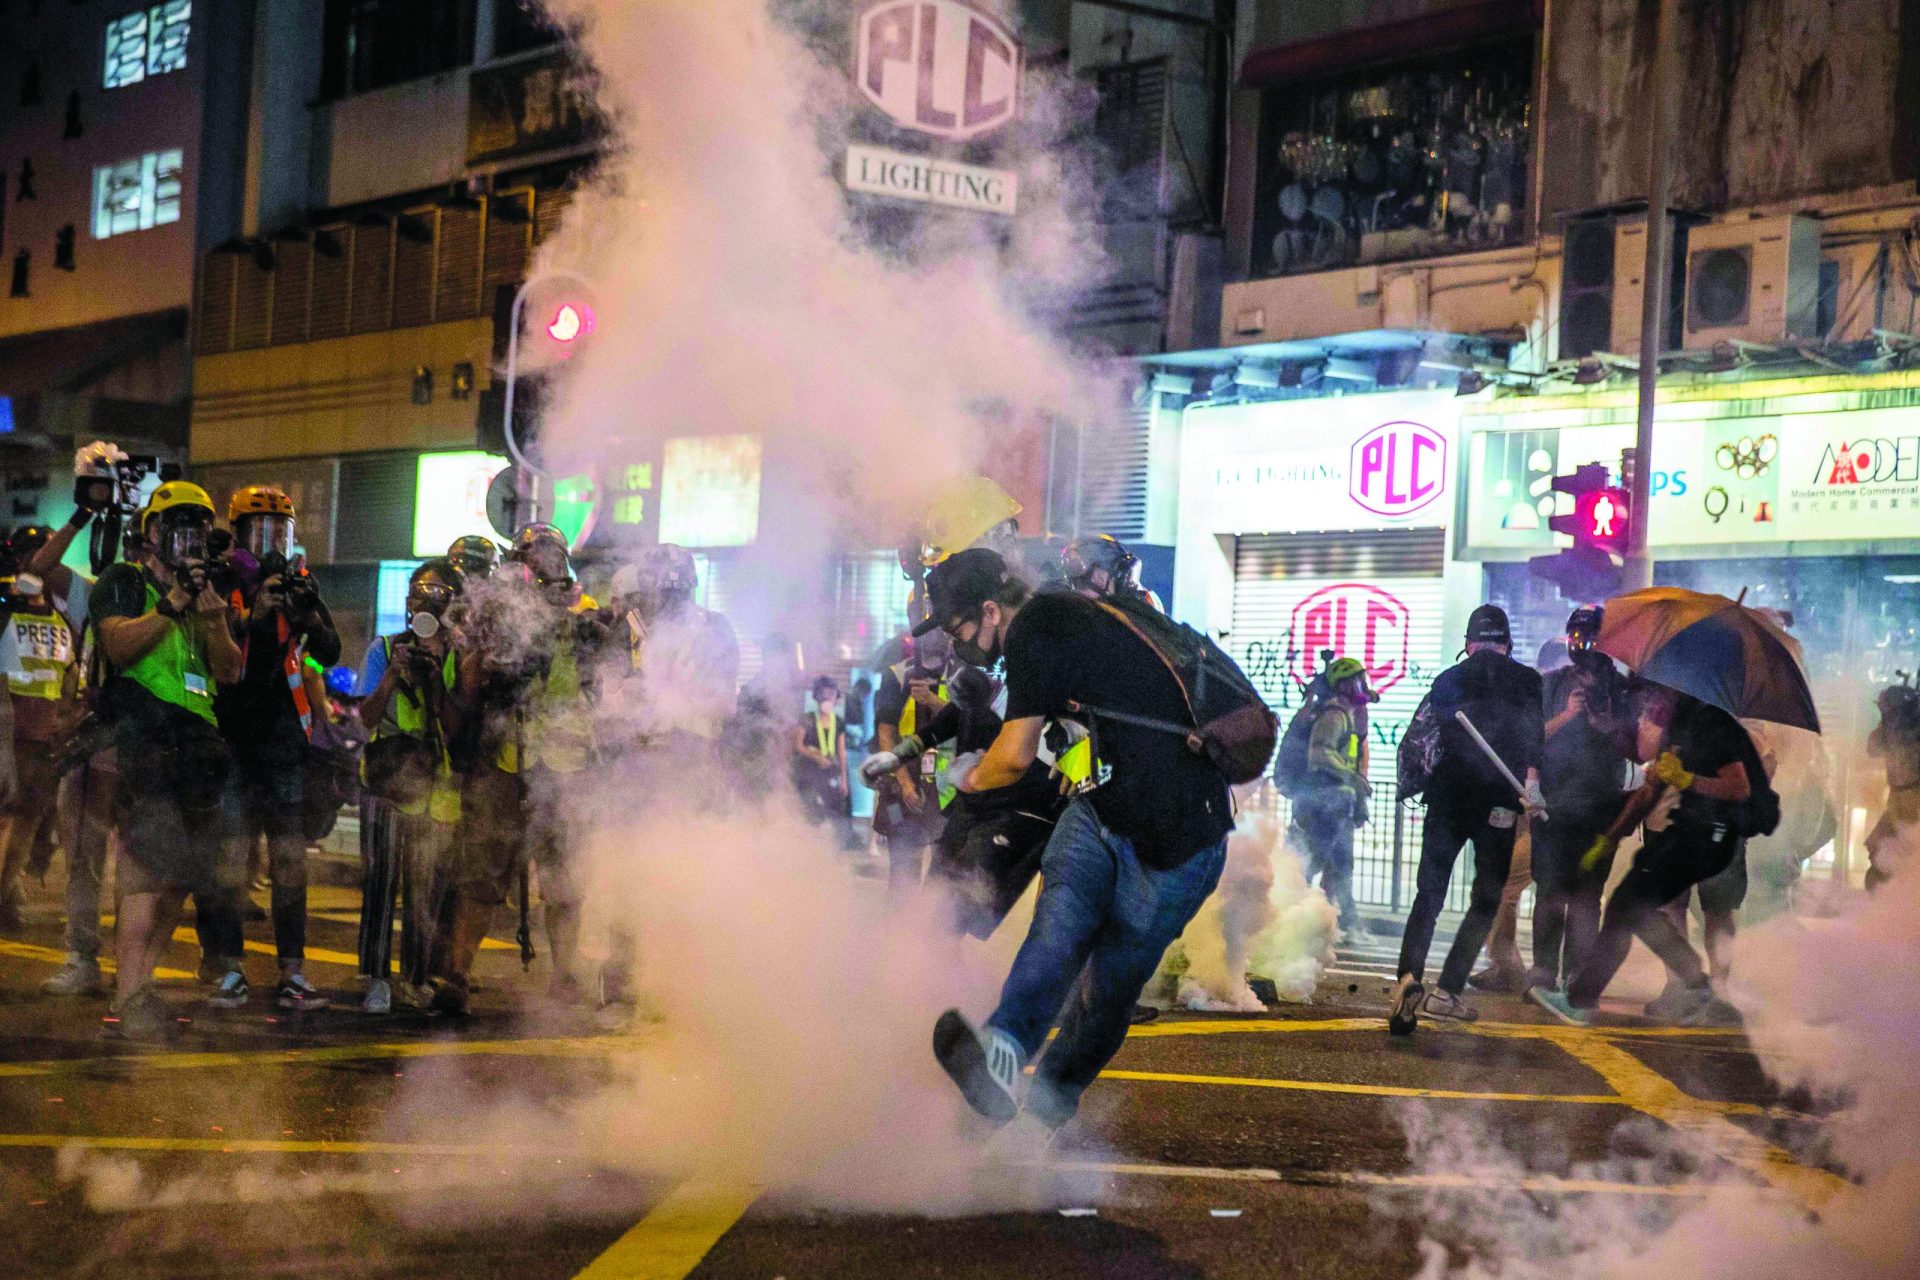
(1470, 799)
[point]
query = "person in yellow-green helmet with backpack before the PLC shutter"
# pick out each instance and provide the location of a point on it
(1322, 769)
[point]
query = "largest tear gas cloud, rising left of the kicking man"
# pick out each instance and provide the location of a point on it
(786, 1018)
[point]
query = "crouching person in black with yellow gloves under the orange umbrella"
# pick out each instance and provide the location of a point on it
(1706, 794)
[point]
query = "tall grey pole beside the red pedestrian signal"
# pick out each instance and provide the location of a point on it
(1639, 571)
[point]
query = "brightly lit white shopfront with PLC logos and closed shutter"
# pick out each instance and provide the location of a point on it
(1324, 525)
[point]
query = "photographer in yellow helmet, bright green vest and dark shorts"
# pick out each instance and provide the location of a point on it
(166, 644)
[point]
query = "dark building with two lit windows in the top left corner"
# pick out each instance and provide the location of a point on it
(122, 143)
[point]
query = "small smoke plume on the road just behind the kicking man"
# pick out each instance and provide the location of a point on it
(1262, 920)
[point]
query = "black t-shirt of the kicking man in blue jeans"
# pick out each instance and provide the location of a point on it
(1163, 797)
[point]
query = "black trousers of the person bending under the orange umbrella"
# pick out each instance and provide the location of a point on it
(1669, 865)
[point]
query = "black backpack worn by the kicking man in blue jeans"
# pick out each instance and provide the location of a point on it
(1230, 723)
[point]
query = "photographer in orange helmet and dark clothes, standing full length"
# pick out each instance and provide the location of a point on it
(279, 623)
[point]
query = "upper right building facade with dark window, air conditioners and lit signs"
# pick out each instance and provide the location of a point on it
(1449, 199)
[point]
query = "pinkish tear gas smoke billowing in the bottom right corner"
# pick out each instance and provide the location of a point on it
(1835, 1022)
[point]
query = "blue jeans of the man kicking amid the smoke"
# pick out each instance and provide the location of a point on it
(1109, 916)
